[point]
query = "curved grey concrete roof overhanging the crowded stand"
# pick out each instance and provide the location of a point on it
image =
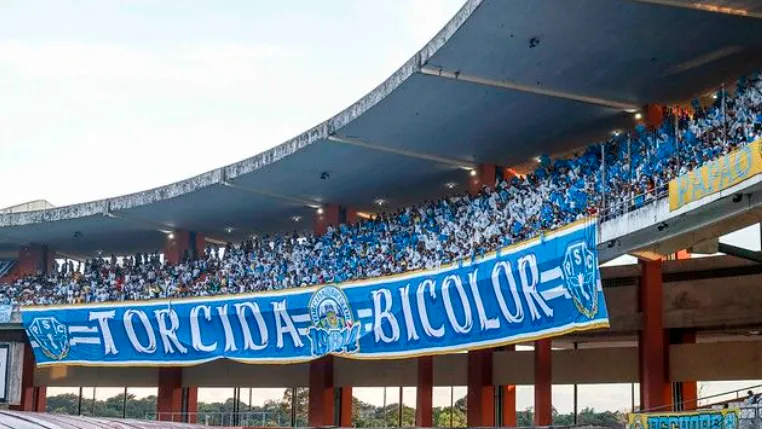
(503, 81)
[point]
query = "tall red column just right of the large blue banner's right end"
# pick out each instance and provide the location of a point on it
(654, 387)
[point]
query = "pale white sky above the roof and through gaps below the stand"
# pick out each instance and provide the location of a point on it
(102, 98)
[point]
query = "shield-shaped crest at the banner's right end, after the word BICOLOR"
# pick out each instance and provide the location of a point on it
(580, 268)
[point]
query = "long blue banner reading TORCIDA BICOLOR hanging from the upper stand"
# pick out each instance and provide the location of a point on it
(543, 287)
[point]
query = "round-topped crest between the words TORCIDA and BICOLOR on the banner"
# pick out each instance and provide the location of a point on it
(333, 328)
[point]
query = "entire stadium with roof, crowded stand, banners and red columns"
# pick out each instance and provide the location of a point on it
(451, 228)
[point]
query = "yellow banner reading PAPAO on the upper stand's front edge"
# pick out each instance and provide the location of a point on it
(717, 175)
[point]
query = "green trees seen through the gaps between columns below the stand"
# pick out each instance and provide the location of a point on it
(277, 413)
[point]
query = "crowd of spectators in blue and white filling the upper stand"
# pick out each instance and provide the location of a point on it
(623, 173)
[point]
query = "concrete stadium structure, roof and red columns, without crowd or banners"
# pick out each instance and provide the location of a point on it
(500, 84)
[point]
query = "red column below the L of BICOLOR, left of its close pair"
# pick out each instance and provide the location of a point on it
(480, 399)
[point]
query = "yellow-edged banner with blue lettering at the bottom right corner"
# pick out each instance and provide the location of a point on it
(704, 419)
